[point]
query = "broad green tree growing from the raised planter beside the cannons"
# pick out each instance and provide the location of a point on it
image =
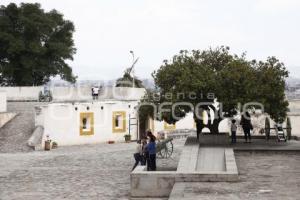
(193, 76)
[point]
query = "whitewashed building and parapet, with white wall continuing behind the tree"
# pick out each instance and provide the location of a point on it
(74, 118)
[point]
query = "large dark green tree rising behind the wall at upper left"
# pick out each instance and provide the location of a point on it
(34, 45)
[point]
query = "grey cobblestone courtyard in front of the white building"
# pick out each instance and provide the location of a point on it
(76, 172)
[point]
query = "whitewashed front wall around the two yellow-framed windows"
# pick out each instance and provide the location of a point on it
(62, 122)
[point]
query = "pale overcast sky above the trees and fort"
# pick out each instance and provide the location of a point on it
(157, 29)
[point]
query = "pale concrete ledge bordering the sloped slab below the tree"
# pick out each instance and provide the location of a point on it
(160, 183)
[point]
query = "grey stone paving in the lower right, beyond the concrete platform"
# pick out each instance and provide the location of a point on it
(264, 175)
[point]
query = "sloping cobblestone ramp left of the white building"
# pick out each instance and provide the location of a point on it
(14, 135)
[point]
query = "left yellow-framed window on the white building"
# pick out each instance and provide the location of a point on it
(86, 123)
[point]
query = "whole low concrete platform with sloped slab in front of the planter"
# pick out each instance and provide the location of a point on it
(196, 164)
